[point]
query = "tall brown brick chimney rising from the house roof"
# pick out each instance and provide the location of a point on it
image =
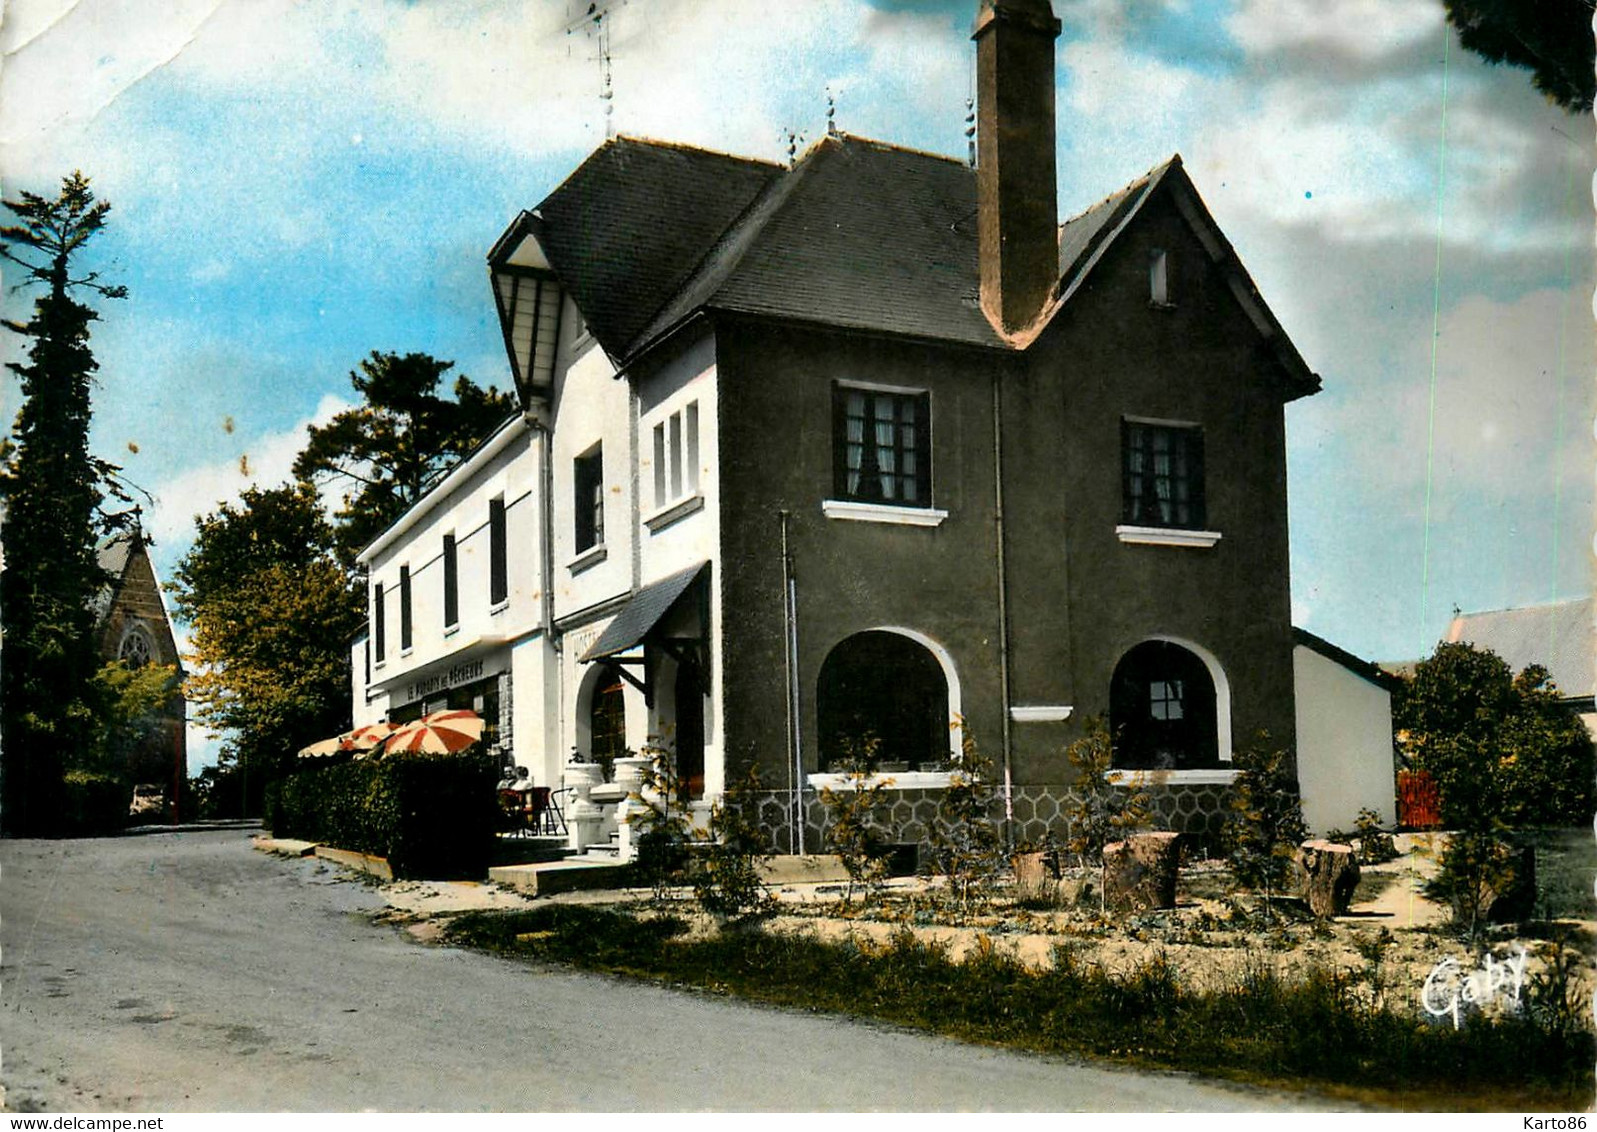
(1015, 159)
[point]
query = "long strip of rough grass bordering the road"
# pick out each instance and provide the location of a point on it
(1317, 1031)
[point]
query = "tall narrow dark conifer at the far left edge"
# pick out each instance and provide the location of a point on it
(53, 491)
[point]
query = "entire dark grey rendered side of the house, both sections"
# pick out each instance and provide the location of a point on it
(1079, 598)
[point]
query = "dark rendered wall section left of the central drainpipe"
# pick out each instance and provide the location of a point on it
(775, 421)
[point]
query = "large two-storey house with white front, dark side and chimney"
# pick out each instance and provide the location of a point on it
(870, 446)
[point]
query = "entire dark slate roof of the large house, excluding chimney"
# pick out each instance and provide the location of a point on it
(858, 236)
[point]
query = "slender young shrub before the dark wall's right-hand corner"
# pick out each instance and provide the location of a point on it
(1266, 825)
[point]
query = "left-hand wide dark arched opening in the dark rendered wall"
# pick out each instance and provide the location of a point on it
(887, 687)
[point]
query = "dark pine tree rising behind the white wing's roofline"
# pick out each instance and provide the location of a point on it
(389, 449)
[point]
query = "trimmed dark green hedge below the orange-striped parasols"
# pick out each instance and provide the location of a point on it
(429, 815)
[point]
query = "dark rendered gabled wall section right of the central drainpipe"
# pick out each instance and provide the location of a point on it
(1112, 355)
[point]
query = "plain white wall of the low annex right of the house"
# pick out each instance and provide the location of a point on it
(1344, 743)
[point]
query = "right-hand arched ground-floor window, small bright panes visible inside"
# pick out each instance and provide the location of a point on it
(1163, 710)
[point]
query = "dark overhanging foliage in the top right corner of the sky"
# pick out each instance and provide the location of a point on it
(1553, 39)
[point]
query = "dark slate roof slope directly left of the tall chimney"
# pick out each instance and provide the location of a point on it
(857, 236)
